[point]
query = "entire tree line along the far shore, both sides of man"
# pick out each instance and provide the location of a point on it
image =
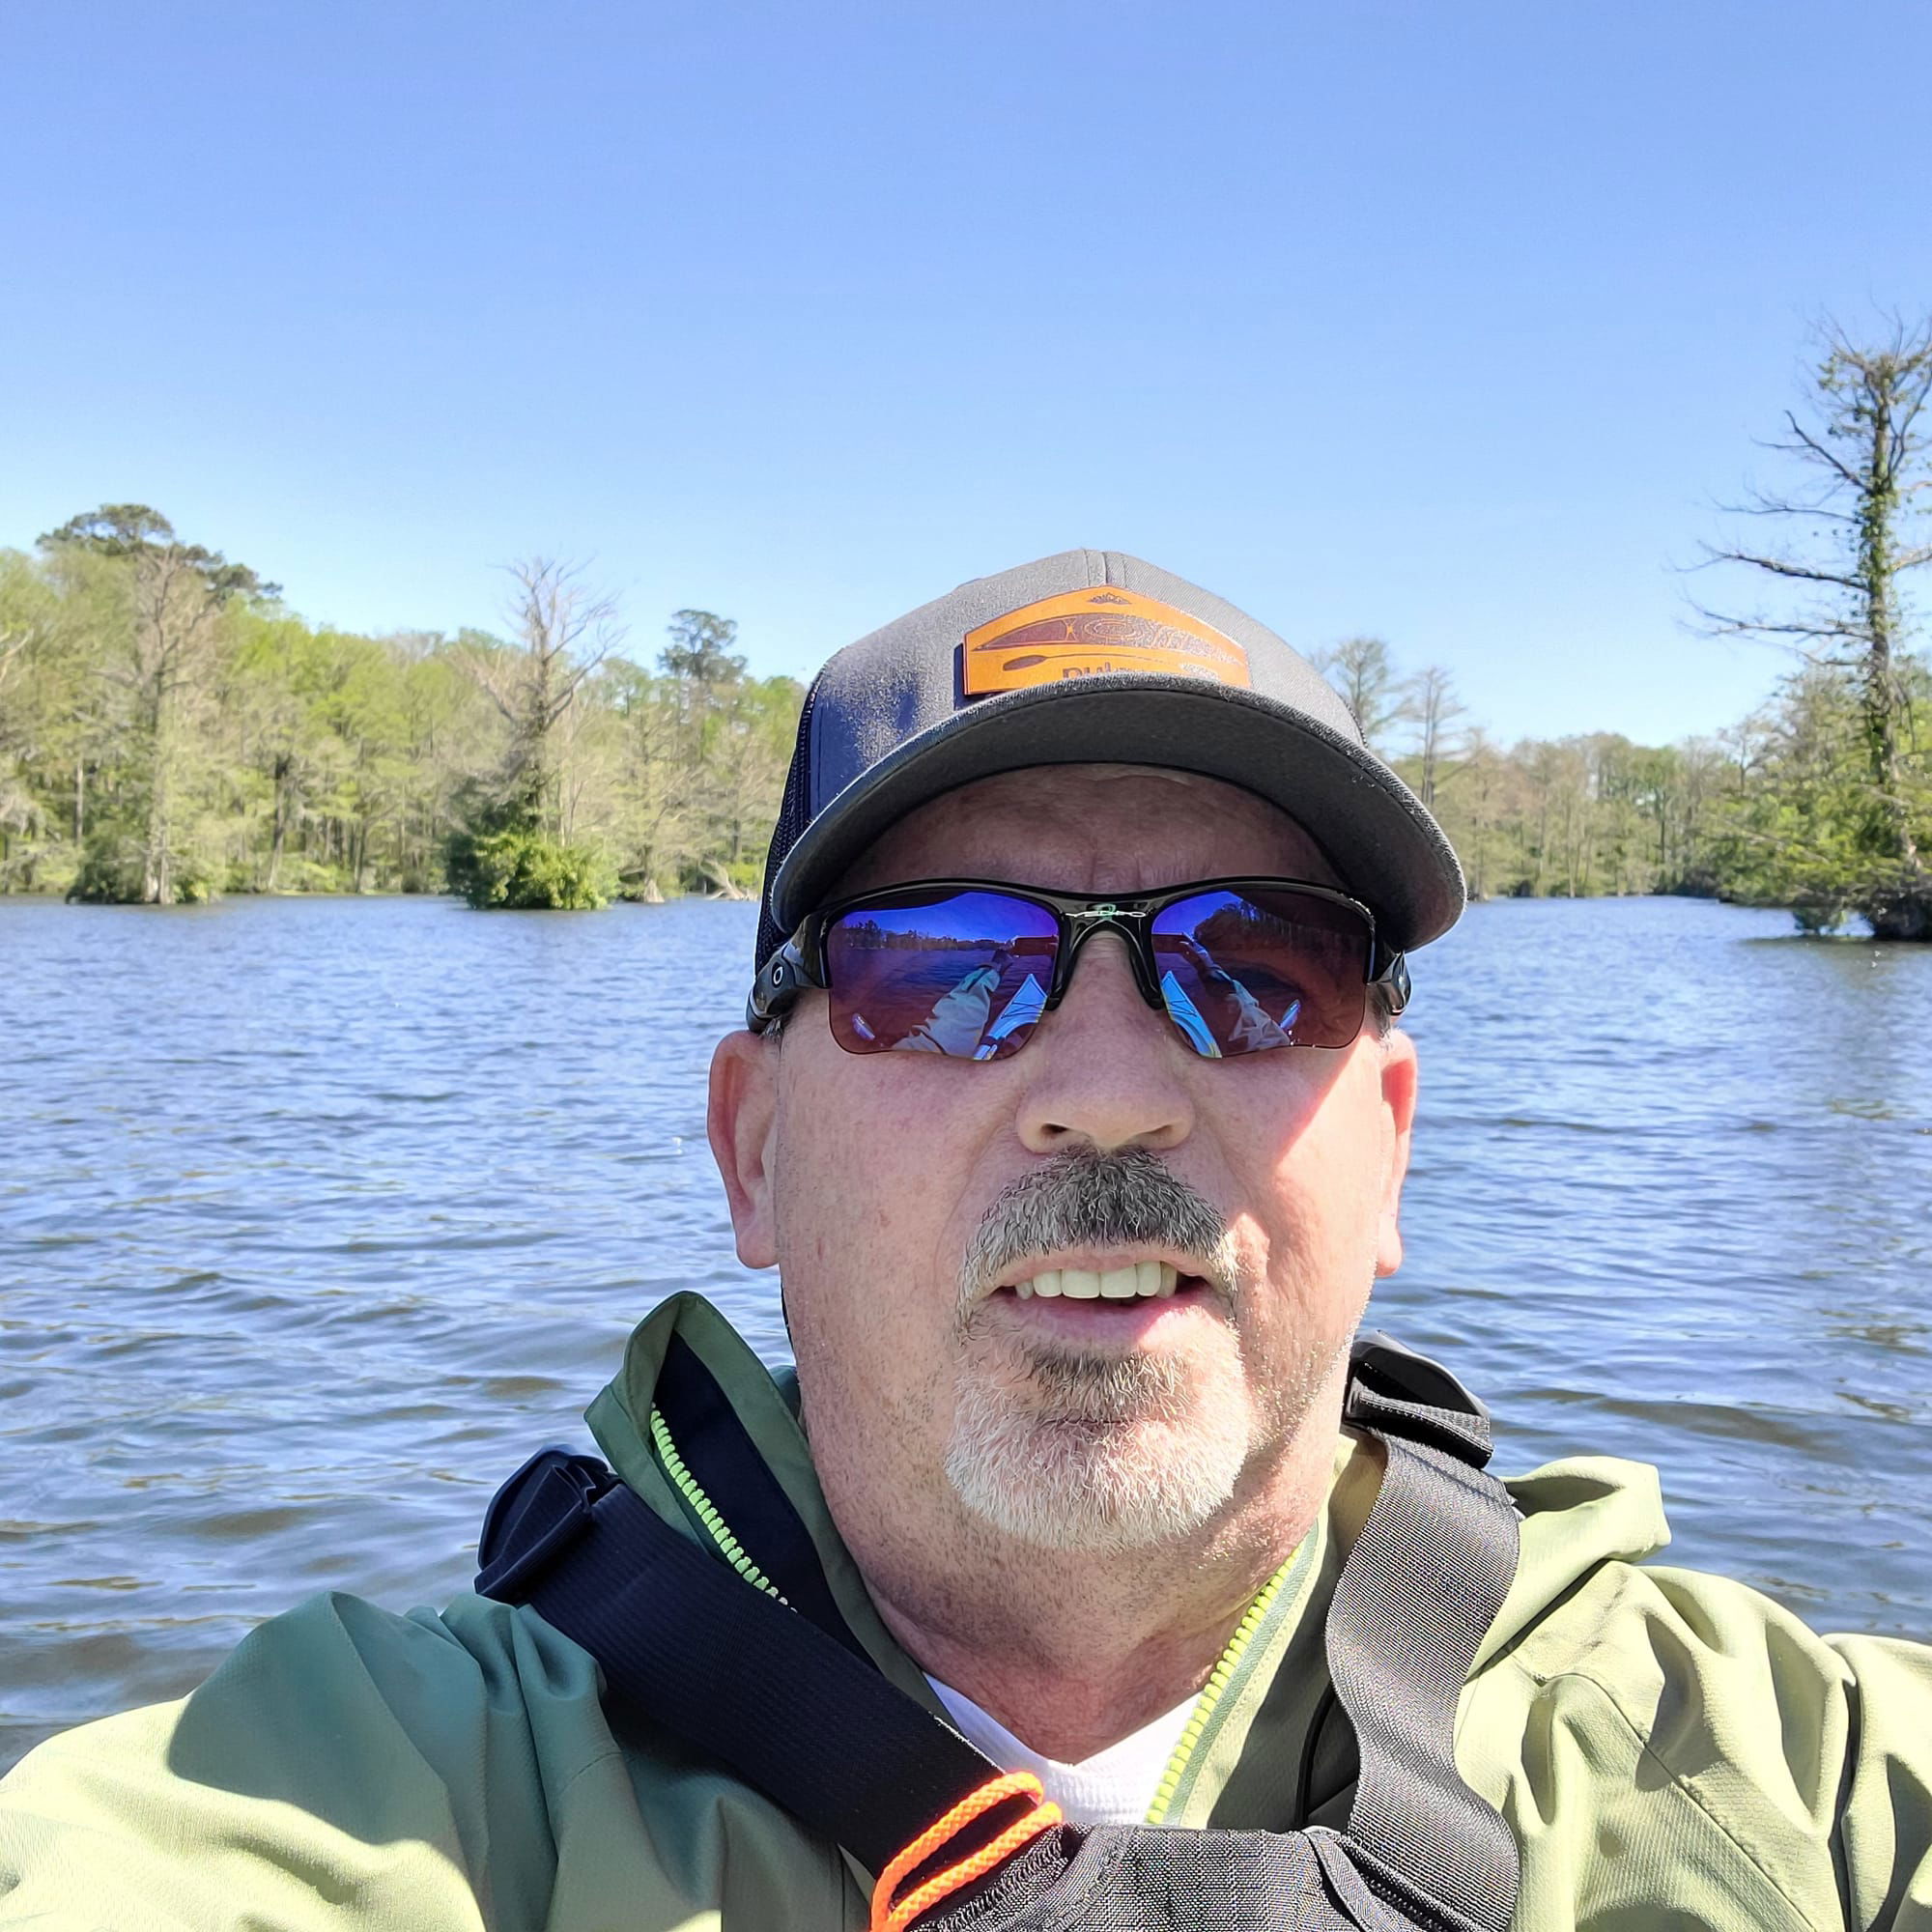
(169, 729)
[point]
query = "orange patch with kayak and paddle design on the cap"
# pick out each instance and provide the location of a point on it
(1083, 635)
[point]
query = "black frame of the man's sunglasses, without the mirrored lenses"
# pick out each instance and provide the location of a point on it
(801, 961)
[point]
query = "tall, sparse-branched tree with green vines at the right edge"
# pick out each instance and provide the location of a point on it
(1856, 536)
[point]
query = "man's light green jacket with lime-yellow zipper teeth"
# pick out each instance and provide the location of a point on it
(1670, 1749)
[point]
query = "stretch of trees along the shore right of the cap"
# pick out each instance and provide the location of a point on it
(1823, 799)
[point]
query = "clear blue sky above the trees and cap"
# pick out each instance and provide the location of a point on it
(1435, 322)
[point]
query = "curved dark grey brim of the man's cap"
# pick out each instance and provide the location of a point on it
(1386, 849)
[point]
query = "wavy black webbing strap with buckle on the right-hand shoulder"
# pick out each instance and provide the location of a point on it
(1419, 1593)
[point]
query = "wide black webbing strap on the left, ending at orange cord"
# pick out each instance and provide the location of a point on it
(708, 1657)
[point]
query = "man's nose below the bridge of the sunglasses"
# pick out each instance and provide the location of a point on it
(1104, 1069)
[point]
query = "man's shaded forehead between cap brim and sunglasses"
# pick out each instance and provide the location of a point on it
(1093, 828)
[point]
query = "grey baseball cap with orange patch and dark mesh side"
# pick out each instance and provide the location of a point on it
(1077, 660)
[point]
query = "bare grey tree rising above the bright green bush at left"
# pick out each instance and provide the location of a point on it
(563, 635)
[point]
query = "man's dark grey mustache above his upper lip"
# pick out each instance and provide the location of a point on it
(1083, 1199)
